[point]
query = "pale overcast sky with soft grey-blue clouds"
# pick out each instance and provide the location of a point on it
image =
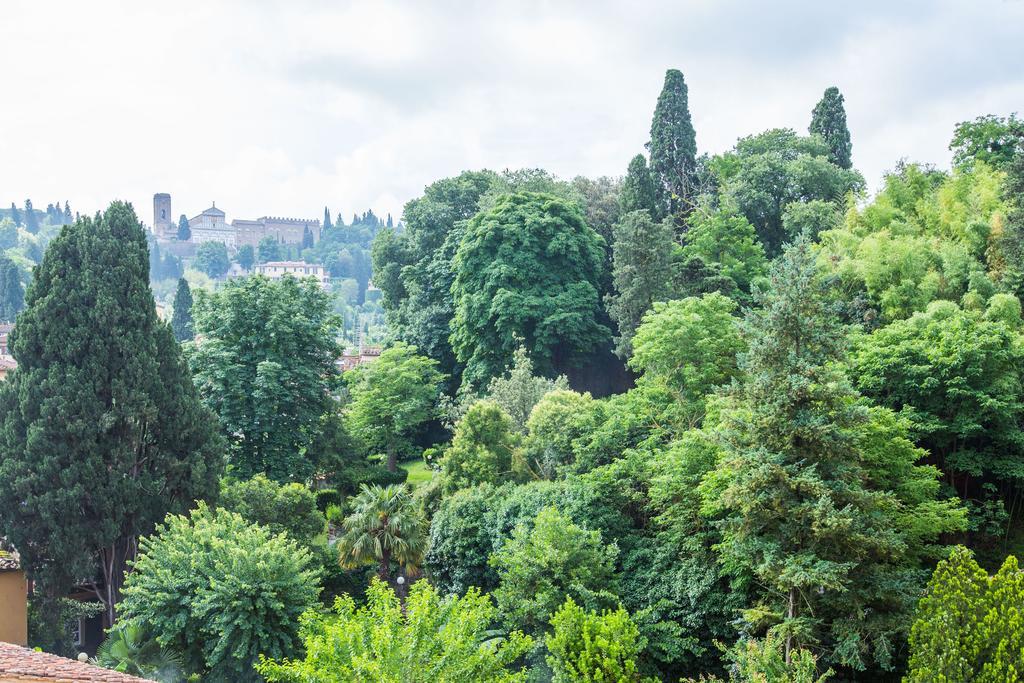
(280, 108)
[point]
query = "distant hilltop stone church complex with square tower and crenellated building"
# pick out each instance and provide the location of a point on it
(212, 226)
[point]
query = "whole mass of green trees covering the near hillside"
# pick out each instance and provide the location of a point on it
(730, 417)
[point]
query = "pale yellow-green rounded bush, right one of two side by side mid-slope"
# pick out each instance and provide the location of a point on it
(558, 421)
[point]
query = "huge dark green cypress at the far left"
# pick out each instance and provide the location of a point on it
(102, 430)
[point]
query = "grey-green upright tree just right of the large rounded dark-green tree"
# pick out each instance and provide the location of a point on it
(643, 273)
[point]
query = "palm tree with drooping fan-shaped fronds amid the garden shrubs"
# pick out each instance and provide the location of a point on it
(386, 526)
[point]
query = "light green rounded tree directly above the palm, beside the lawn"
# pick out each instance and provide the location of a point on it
(393, 400)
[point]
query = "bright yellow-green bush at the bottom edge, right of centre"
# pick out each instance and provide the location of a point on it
(593, 648)
